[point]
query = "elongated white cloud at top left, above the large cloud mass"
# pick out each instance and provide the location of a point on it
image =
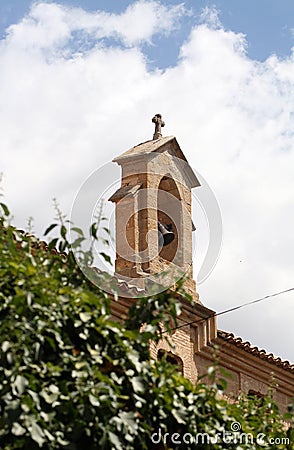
(50, 24)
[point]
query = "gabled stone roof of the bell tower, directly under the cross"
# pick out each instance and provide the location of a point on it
(168, 143)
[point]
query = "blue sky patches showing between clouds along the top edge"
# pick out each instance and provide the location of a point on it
(267, 24)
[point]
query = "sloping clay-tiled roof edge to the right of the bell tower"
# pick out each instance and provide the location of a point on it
(260, 353)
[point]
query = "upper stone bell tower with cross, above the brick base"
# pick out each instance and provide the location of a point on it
(153, 212)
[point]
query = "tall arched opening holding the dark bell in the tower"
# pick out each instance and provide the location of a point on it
(169, 219)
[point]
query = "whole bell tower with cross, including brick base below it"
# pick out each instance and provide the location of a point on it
(154, 240)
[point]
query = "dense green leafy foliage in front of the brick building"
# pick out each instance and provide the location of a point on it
(72, 378)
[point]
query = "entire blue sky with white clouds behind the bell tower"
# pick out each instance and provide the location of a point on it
(80, 82)
